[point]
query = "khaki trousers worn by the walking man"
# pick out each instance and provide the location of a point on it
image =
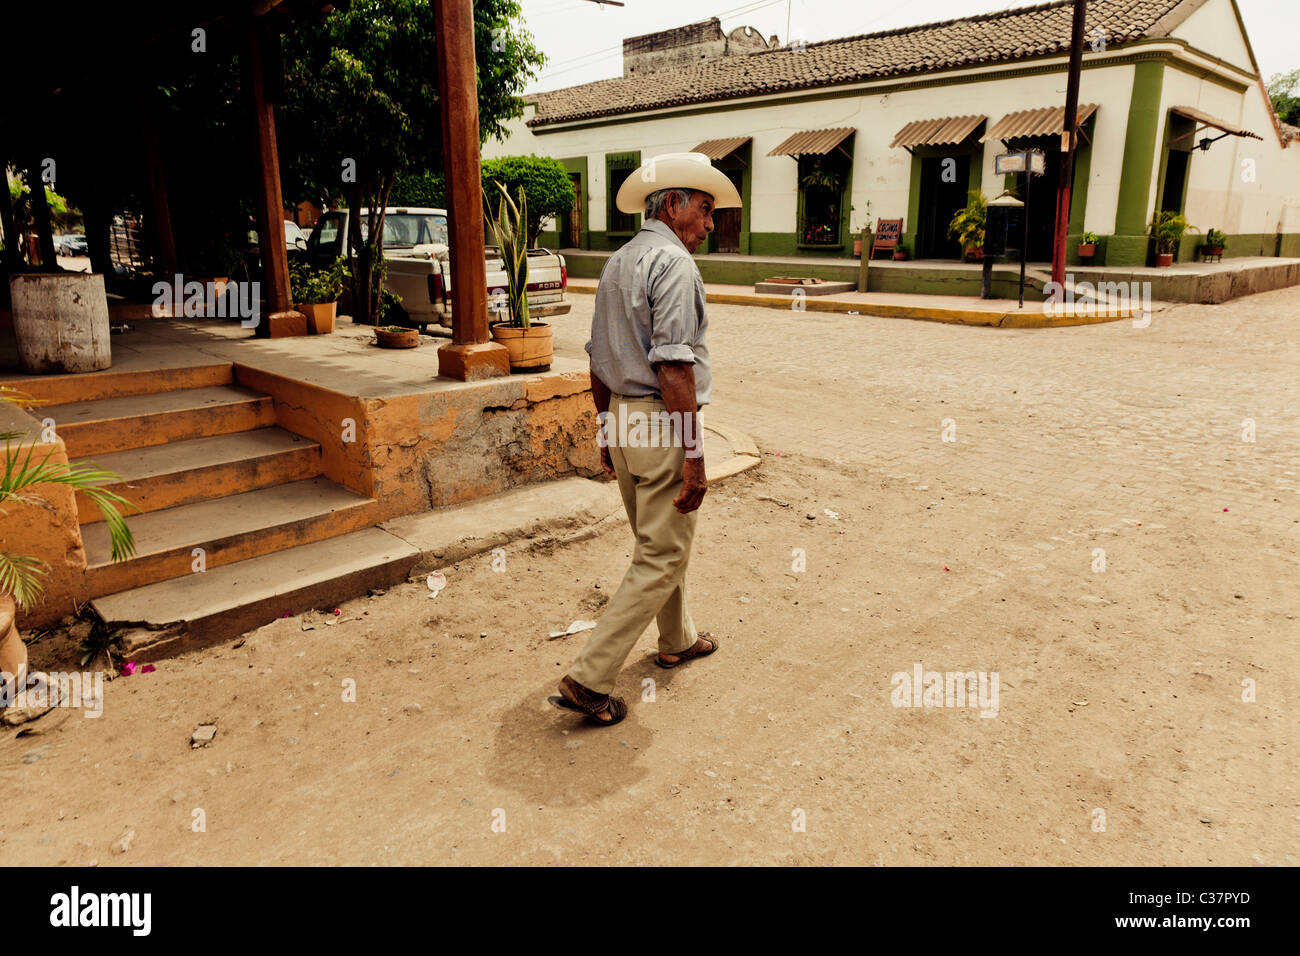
(656, 585)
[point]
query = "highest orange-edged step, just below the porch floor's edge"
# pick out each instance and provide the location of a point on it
(102, 426)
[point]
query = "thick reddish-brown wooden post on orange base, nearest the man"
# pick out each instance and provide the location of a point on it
(471, 353)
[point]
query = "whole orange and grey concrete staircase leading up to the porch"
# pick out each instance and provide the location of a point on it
(237, 524)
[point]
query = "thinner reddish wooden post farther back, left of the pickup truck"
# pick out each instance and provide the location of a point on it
(271, 205)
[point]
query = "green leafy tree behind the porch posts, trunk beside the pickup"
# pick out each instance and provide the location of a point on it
(362, 103)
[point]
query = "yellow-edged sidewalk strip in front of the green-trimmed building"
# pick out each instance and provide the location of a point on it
(963, 310)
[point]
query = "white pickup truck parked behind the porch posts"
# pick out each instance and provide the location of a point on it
(415, 248)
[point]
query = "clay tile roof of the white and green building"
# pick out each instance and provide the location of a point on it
(983, 40)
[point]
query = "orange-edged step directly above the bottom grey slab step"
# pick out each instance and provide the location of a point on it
(228, 530)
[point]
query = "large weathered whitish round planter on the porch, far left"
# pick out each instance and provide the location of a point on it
(60, 322)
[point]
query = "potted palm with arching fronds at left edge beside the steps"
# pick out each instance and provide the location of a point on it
(21, 574)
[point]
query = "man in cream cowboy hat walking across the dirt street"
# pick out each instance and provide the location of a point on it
(649, 379)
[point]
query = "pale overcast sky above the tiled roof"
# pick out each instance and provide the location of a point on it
(584, 41)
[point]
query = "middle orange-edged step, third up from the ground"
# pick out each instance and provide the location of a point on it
(181, 473)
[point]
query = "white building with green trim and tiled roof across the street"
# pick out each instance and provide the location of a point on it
(902, 124)
